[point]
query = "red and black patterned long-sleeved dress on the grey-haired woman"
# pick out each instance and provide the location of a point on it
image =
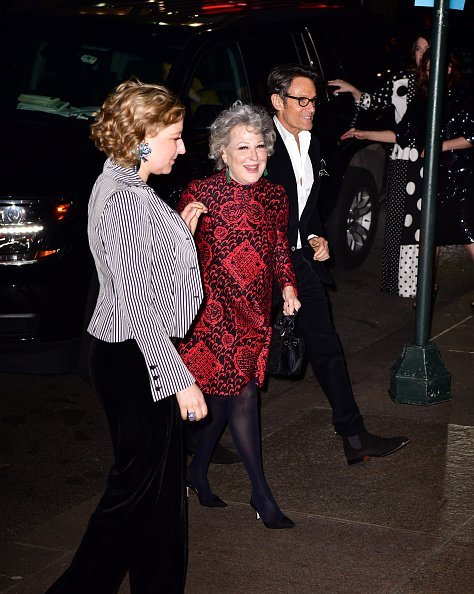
(243, 245)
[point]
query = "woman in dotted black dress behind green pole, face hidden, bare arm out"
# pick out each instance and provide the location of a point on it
(455, 201)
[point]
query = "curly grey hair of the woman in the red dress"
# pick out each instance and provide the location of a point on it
(254, 117)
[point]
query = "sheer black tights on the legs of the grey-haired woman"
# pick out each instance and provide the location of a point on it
(241, 412)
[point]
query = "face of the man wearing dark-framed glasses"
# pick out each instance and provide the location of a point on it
(290, 114)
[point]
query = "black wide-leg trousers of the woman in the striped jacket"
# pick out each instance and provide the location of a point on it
(139, 524)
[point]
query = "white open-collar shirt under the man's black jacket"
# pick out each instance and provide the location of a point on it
(302, 166)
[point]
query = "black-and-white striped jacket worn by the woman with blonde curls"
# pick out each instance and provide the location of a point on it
(150, 285)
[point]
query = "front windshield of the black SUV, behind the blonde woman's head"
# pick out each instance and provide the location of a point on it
(71, 77)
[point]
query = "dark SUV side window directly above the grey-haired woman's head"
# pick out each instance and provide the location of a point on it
(216, 83)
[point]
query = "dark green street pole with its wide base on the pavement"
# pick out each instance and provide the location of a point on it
(419, 375)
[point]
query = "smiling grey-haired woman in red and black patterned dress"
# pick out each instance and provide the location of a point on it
(243, 247)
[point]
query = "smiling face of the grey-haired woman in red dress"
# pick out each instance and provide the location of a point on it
(245, 155)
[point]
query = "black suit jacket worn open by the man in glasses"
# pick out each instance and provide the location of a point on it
(280, 171)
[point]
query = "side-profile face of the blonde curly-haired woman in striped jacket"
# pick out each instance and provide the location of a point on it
(165, 146)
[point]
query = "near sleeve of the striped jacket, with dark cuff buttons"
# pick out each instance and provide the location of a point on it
(127, 237)
